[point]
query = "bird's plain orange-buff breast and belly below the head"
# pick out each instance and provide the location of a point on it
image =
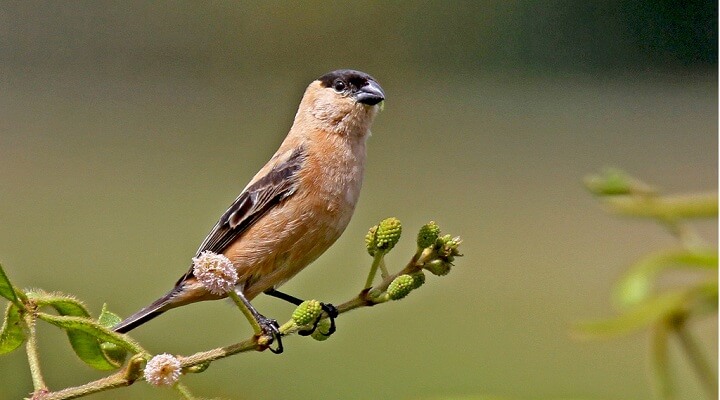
(302, 227)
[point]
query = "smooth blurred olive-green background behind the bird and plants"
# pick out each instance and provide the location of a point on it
(126, 128)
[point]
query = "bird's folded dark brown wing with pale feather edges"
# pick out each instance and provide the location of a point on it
(259, 197)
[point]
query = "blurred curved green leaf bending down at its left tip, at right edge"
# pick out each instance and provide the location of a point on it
(637, 283)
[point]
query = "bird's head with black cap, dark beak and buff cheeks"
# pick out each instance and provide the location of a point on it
(344, 101)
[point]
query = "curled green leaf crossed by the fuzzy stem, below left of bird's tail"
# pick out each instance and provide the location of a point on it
(85, 344)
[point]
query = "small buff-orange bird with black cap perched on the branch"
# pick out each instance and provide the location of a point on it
(296, 206)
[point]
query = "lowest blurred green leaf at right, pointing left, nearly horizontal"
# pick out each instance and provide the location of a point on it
(638, 317)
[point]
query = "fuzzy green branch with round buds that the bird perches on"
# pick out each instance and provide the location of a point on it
(434, 254)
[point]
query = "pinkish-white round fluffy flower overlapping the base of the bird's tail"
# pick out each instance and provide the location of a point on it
(215, 271)
